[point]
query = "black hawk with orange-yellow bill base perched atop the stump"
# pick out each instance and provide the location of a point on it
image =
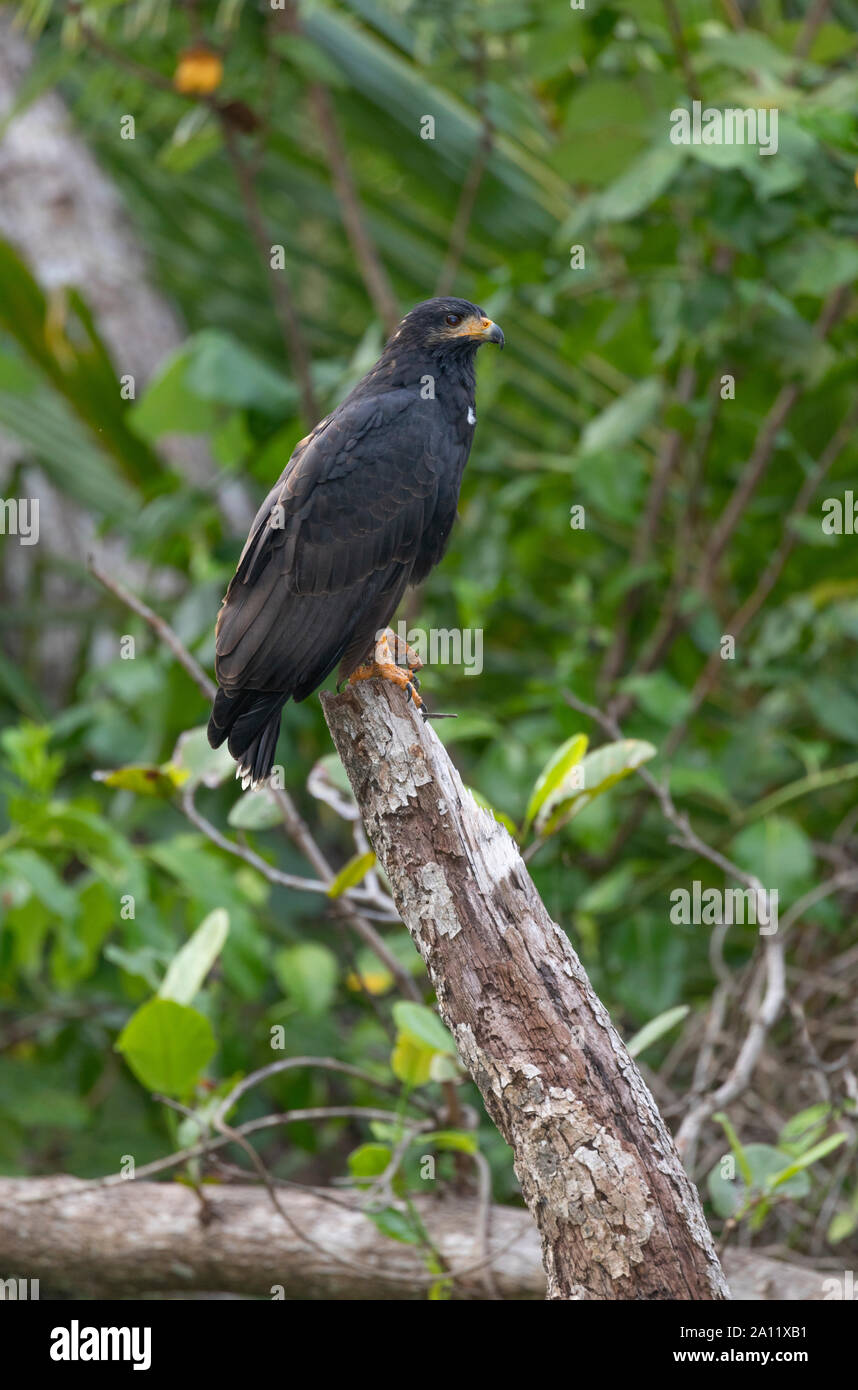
(364, 508)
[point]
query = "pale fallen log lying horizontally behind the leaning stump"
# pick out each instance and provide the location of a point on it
(155, 1239)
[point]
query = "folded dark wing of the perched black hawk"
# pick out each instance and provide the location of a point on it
(332, 548)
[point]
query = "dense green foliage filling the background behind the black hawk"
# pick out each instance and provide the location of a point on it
(703, 263)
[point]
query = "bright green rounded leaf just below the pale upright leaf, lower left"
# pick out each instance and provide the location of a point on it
(168, 1046)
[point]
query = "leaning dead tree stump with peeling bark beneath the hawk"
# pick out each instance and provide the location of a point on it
(618, 1216)
